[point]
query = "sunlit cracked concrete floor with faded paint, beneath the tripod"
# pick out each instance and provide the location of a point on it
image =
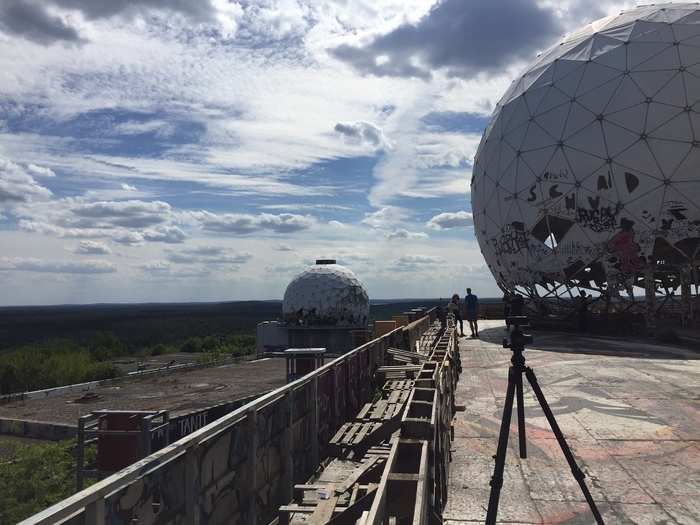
(630, 412)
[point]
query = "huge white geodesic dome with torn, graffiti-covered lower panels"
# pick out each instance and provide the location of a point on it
(588, 174)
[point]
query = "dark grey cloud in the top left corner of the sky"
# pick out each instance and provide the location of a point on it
(29, 19)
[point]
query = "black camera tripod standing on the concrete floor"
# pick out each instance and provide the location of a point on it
(518, 339)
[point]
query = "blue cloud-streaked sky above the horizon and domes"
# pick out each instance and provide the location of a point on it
(171, 150)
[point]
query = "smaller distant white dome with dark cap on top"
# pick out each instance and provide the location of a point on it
(326, 294)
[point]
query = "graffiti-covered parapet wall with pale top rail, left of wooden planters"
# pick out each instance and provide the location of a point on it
(241, 467)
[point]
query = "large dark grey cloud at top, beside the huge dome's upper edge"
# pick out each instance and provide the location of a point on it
(462, 38)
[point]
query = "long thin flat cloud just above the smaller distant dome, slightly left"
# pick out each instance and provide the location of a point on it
(242, 224)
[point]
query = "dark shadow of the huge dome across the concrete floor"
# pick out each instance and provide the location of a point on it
(623, 346)
